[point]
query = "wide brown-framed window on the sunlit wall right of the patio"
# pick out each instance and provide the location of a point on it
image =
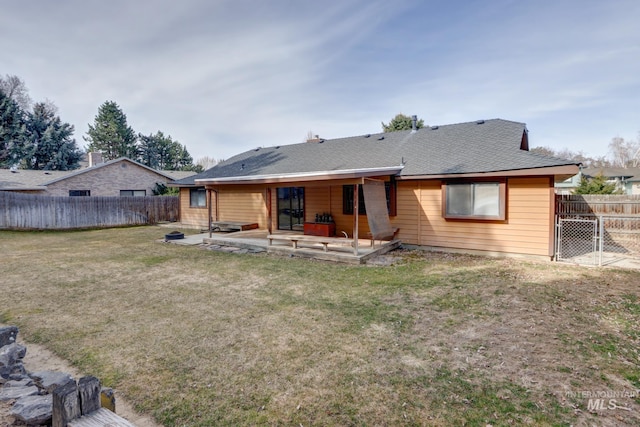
(474, 200)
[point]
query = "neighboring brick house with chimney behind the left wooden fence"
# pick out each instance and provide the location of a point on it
(119, 177)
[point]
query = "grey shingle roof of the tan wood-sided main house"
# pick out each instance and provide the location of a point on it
(460, 149)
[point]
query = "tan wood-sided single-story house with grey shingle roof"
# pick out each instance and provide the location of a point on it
(472, 187)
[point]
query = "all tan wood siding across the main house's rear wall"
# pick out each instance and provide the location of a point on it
(527, 230)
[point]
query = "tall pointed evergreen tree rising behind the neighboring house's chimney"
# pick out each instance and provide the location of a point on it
(111, 135)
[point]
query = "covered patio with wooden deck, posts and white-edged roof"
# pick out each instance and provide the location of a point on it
(319, 239)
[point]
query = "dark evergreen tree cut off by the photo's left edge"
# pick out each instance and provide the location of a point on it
(13, 132)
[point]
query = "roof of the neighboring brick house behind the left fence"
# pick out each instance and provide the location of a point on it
(22, 179)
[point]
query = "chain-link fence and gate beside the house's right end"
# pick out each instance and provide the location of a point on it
(598, 240)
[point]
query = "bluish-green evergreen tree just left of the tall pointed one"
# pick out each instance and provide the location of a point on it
(50, 141)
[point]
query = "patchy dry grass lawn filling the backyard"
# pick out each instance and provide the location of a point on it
(197, 337)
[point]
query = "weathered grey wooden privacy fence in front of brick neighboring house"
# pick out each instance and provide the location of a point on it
(32, 212)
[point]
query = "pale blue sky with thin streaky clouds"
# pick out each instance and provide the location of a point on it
(223, 76)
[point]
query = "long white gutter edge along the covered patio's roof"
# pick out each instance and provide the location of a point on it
(302, 176)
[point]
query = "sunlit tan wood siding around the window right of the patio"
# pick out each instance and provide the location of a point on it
(526, 231)
